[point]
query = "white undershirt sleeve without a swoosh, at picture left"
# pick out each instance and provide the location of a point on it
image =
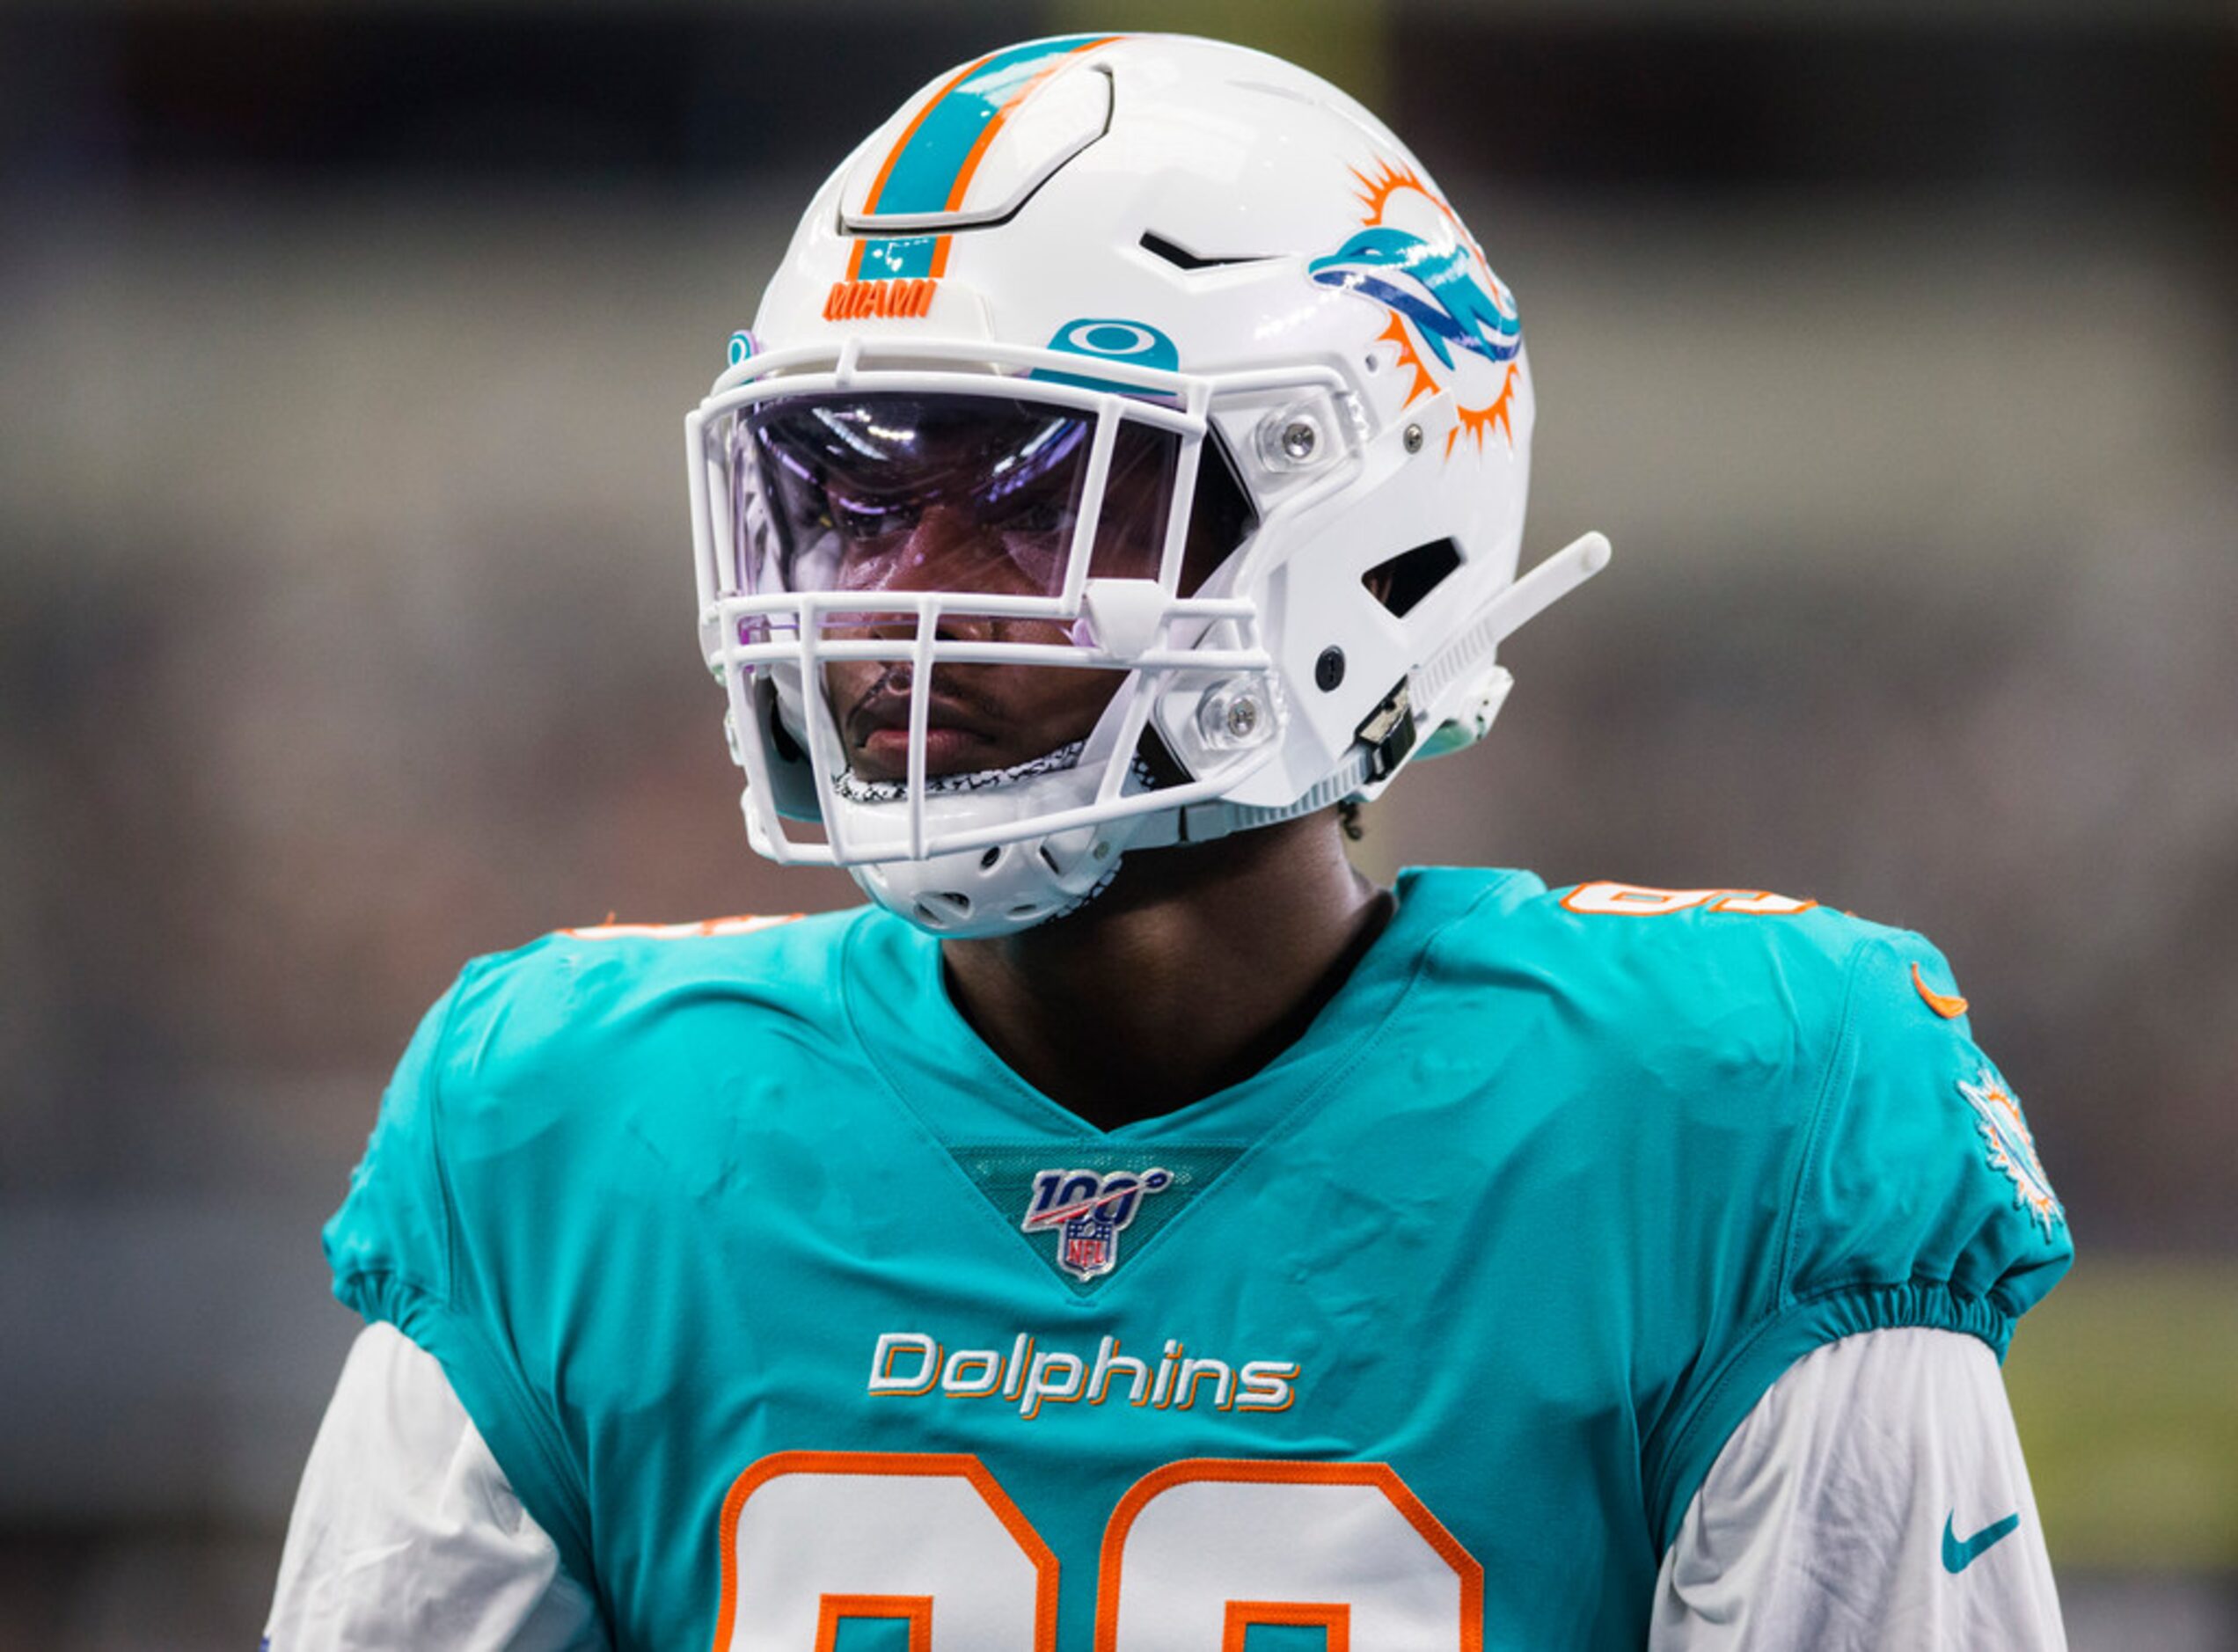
(406, 1530)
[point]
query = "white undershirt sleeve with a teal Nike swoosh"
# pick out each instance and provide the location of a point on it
(1874, 1499)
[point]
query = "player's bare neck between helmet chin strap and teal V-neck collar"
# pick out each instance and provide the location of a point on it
(1189, 975)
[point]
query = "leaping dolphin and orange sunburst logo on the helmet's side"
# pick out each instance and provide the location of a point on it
(1416, 261)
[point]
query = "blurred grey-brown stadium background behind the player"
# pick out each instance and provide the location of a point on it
(346, 621)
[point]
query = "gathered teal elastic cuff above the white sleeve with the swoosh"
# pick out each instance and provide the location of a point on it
(1675, 1474)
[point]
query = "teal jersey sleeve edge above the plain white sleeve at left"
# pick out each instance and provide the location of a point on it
(520, 1438)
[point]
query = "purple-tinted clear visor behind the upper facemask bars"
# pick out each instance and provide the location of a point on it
(943, 494)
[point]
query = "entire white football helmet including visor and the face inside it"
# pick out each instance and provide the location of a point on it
(1129, 451)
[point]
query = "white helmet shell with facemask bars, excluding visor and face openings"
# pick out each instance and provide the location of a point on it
(1212, 243)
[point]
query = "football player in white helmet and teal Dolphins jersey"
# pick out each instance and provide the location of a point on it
(1134, 1230)
